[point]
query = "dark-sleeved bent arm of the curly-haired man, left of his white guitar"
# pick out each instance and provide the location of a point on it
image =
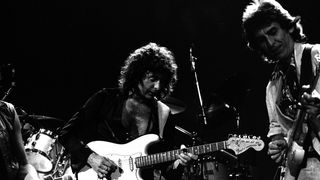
(82, 124)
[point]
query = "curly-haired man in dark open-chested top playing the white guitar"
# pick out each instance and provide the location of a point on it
(123, 114)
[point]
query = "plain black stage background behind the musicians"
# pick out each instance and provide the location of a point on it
(63, 51)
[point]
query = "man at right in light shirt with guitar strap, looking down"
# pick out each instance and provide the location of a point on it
(292, 92)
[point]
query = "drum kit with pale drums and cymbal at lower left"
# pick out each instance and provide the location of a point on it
(44, 152)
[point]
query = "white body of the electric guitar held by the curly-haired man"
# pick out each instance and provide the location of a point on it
(121, 154)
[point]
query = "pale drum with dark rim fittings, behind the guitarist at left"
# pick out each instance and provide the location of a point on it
(38, 148)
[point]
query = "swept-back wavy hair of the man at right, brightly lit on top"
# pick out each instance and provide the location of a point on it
(261, 13)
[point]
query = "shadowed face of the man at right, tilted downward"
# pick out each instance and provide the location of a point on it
(275, 42)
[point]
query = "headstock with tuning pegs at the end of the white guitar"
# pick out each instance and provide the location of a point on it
(241, 143)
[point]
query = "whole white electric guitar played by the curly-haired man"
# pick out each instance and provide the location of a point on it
(132, 156)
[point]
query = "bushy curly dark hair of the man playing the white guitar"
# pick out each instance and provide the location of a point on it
(149, 58)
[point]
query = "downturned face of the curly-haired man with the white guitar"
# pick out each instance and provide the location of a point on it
(150, 85)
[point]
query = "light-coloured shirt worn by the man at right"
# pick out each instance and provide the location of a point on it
(279, 122)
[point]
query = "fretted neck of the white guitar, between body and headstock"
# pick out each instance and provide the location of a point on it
(163, 157)
